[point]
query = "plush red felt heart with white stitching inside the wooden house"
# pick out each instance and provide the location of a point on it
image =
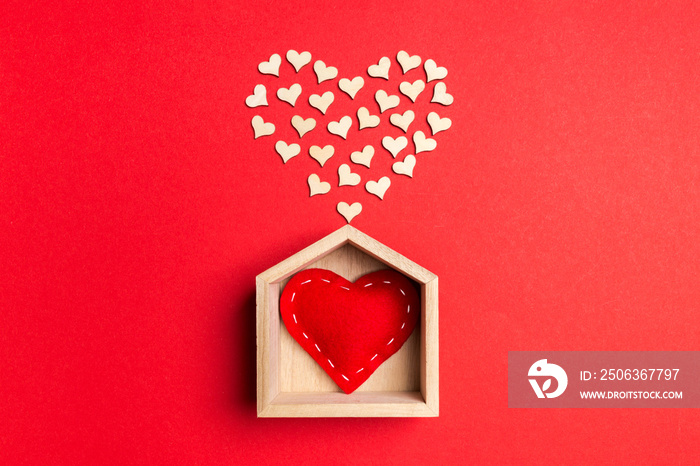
(350, 329)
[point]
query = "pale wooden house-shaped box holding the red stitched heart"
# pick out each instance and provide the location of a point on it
(291, 384)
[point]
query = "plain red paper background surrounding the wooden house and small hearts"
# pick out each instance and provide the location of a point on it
(560, 211)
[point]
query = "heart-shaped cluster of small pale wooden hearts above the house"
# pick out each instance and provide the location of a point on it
(357, 114)
